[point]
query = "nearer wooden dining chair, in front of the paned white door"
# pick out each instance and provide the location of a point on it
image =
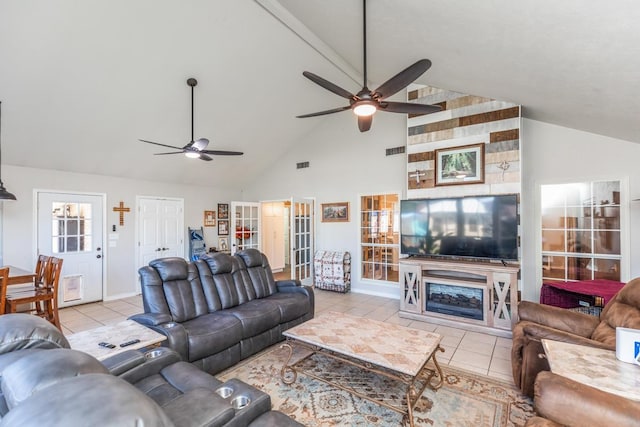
(46, 294)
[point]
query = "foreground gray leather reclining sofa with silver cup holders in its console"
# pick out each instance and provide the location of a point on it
(44, 383)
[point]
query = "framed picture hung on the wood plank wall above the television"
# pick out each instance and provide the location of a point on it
(460, 165)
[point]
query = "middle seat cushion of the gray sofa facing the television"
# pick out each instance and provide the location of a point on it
(256, 317)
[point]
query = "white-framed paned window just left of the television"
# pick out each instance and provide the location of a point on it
(379, 236)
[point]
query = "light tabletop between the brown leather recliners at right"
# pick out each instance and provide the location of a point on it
(594, 367)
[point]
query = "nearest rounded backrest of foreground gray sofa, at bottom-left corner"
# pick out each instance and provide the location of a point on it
(82, 401)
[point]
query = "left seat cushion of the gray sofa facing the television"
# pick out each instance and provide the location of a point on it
(211, 333)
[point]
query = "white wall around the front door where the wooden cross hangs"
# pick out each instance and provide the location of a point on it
(18, 225)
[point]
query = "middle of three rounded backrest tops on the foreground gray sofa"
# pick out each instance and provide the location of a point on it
(21, 380)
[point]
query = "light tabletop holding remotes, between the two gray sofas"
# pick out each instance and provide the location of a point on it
(118, 333)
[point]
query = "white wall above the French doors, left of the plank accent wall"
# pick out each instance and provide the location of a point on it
(344, 164)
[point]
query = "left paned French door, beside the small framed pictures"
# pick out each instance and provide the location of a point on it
(244, 230)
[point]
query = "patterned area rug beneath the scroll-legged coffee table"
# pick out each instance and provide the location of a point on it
(465, 399)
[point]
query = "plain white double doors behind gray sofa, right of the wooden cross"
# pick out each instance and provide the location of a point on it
(160, 229)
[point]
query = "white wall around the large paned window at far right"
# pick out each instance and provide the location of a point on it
(554, 154)
